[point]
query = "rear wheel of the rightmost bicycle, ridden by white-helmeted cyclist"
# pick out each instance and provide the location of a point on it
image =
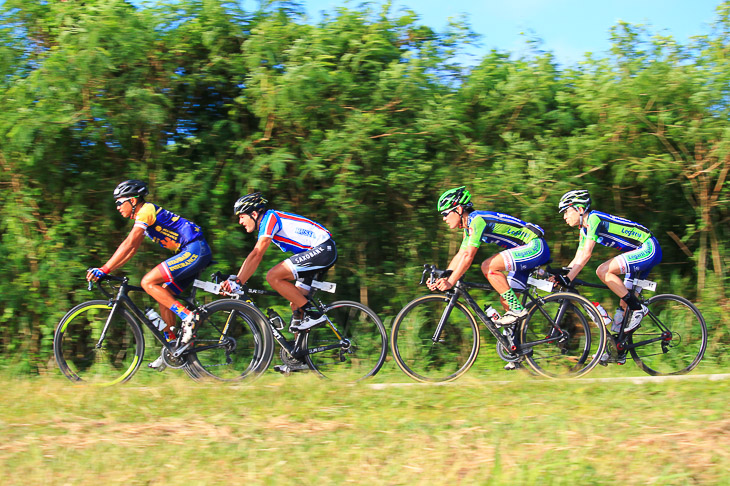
(679, 333)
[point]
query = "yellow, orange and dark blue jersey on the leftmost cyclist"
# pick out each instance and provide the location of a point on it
(165, 227)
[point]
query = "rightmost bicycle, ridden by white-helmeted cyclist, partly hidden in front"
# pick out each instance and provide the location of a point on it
(671, 340)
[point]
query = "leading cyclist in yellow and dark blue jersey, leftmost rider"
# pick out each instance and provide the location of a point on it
(172, 276)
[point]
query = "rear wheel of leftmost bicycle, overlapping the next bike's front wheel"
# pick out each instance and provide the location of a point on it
(248, 351)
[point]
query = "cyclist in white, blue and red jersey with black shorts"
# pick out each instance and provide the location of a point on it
(313, 247)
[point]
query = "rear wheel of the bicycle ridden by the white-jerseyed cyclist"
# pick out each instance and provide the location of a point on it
(360, 350)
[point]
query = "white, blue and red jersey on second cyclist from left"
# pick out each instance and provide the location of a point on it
(291, 232)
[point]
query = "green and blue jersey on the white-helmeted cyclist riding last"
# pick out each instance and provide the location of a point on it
(612, 231)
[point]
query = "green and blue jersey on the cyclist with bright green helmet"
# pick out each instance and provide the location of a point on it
(498, 228)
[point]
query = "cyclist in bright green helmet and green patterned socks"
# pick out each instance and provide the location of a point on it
(526, 249)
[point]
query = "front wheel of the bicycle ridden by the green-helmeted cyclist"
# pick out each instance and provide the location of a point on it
(414, 350)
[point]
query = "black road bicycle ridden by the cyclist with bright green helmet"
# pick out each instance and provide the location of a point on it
(436, 337)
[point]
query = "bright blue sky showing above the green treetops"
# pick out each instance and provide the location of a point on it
(568, 28)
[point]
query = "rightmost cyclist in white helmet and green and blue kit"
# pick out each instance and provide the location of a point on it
(642, 251)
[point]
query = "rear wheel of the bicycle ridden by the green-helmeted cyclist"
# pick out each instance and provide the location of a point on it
(586, 343)
